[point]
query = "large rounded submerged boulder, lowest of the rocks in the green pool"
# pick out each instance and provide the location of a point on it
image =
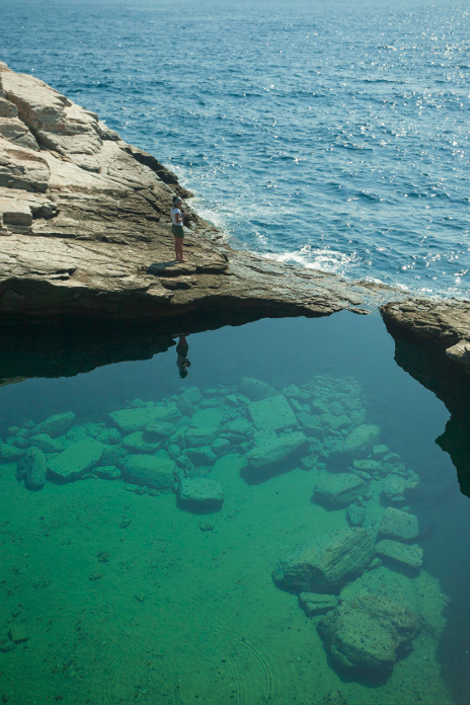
(365, 633)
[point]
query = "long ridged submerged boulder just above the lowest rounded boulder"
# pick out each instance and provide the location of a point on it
(325, 562)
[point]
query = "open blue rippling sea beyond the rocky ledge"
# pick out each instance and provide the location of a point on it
(329, 135)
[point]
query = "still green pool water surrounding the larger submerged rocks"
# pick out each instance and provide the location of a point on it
(114, 593)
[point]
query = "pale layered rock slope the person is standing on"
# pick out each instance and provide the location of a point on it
(85, 228)
